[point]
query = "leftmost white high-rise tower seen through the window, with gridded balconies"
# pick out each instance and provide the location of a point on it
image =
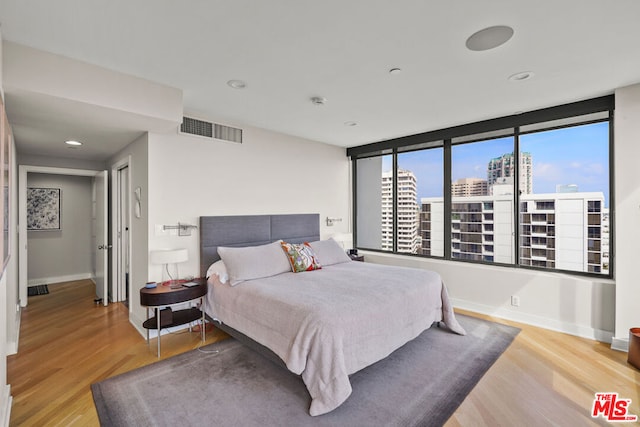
(408, 211)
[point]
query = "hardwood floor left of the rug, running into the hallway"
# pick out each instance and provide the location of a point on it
(66, 343)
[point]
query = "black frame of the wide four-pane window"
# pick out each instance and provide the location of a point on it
(444, 137)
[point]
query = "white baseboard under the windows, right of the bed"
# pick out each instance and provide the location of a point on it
(534, 320)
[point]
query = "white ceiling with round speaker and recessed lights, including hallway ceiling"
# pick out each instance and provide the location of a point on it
(290, 51)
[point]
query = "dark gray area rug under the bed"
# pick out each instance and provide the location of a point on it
(420, 384)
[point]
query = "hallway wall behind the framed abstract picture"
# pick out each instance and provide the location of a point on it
(58, 256)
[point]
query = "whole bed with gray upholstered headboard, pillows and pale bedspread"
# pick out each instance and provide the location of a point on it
(323, 324)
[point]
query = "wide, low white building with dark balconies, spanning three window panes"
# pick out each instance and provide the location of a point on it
(567, 231)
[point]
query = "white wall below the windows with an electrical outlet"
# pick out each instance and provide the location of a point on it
(572, 304)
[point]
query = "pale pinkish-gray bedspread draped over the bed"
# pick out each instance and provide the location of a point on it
(328, 324)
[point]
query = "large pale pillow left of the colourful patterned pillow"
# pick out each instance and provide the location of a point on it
(254, 262)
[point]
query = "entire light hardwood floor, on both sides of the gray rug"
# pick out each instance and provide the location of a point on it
(67, 343)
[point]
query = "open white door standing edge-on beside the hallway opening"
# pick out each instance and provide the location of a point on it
(101, 236)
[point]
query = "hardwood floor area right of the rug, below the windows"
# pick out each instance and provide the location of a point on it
(547, 378)
